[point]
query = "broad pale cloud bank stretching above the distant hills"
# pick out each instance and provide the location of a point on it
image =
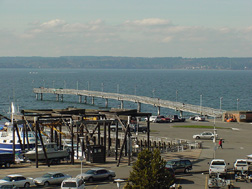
(146, 37)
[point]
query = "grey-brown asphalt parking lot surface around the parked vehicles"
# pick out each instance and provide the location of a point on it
(237, 144)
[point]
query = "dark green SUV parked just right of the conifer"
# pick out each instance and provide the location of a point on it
(179, 165)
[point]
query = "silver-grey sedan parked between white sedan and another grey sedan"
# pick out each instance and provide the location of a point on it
(51, 178)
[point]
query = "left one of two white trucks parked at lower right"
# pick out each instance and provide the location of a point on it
(217, 167)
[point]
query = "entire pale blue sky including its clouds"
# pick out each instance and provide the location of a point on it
(131, 28)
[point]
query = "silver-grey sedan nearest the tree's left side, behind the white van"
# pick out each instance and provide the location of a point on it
(97, 174)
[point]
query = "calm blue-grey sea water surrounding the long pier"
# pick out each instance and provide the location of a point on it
(235, 87)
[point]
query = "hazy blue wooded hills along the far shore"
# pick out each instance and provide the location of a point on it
(110, 62)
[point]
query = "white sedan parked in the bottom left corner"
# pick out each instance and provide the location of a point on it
(16, 180)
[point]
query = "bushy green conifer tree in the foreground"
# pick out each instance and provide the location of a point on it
(149, 172)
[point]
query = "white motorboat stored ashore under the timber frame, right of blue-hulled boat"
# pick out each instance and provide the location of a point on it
(52, 152)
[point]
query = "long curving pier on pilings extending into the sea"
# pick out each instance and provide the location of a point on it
(83, 94)
